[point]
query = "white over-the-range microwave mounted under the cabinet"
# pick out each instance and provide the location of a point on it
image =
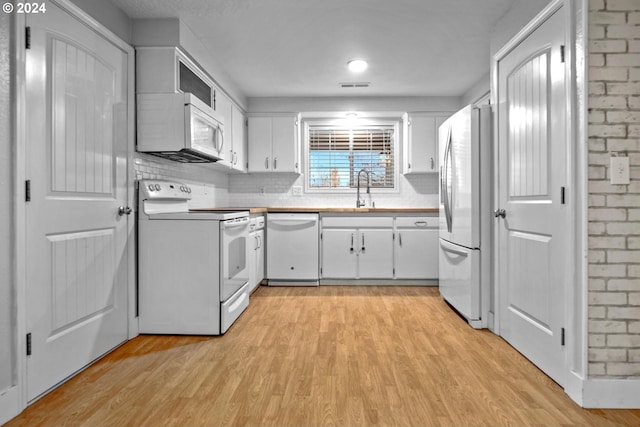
(180, 127)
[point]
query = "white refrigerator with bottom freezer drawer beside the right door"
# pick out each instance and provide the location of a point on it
(465, 213)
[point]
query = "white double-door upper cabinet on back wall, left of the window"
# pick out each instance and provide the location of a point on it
(273, 143)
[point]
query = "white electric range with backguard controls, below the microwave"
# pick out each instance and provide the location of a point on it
(192, 266)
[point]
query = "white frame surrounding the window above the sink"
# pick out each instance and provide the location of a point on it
(351, 124)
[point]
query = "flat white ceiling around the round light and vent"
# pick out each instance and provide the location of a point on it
(301, 47)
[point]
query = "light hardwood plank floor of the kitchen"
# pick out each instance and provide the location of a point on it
(338, 356)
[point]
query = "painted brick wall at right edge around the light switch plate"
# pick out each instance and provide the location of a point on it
(614, 210)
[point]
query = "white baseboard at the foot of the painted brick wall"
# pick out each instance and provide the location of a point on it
(605, 393)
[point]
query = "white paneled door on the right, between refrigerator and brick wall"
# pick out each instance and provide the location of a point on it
(533, 261)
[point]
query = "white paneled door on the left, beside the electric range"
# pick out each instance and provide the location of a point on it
(77, 130)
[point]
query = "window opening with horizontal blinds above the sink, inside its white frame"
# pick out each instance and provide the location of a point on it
(336, 155)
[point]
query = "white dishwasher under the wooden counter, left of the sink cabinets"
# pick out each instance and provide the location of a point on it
(292, 249)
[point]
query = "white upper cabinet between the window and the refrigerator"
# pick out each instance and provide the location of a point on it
(421, 142)
